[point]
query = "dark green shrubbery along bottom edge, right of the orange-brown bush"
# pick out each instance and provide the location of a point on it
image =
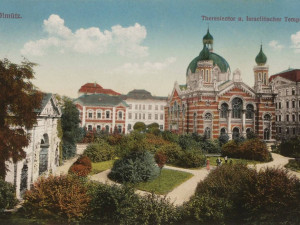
(120, 205)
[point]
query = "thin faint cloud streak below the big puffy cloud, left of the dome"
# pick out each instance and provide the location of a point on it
(146, 67)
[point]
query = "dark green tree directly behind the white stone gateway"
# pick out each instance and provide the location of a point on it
(70, 125)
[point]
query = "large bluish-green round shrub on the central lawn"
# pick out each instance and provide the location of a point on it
(135, 167)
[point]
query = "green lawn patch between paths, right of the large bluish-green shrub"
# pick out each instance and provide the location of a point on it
(166, 182)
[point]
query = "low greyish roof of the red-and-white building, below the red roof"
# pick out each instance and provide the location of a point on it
(100, 100)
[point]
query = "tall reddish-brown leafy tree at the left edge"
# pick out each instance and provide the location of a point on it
(18, 101)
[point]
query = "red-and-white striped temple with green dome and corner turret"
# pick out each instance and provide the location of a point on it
(210, 103)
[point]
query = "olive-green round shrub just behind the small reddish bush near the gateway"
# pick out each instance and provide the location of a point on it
(100, 151)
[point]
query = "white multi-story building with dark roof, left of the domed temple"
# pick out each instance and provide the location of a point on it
(143, 107)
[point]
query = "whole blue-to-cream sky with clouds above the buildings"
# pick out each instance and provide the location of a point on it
(126, 44)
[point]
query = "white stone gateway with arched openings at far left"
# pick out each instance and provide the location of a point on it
(42, 154)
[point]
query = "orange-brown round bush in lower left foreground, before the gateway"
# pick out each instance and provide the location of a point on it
(57, 197)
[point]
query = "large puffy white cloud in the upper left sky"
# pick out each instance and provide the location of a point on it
(126, 41)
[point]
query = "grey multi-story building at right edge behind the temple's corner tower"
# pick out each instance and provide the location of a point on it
(287, 102)
